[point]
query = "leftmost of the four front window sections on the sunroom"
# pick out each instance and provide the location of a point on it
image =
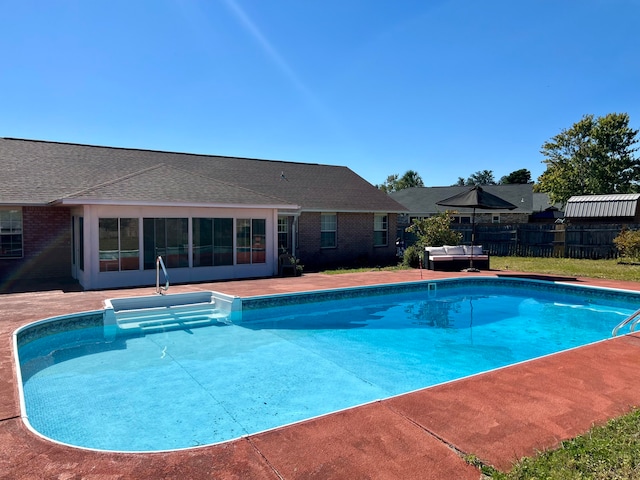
(118, 244)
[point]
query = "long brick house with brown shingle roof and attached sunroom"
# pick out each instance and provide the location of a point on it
(101, 215)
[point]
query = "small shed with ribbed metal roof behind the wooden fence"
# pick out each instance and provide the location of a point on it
(615, 208)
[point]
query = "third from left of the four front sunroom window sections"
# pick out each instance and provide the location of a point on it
(212, 242)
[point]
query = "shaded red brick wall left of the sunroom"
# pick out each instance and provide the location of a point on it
(46, 247)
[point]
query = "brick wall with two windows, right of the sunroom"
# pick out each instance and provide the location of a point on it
(354, 242)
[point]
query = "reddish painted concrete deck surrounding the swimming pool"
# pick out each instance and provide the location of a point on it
(499, 416)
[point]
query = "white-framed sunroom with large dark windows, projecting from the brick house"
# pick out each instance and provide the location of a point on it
(118, 246)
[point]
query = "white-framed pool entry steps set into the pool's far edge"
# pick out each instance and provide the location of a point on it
(156, 313)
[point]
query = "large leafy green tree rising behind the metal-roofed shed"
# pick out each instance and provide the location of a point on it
(595, 156)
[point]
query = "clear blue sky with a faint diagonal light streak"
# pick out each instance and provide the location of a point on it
(442, 87)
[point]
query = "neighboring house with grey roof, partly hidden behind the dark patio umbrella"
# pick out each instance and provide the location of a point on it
(421, 202)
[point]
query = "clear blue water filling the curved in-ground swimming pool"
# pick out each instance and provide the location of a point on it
(293, 358)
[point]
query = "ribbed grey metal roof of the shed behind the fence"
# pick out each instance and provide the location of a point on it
(619, 205)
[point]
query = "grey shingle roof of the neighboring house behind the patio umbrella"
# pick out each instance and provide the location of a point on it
(422, 200)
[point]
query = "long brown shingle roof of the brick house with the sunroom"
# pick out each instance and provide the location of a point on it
(40, 172)
